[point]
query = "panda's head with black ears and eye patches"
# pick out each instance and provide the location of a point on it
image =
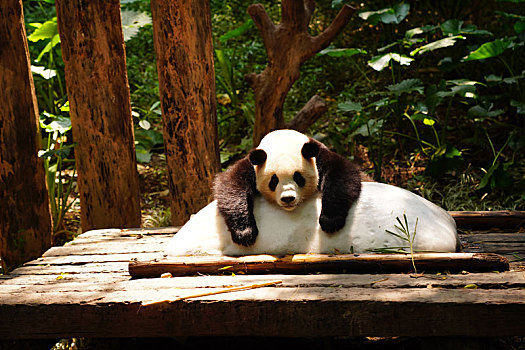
(285, 169)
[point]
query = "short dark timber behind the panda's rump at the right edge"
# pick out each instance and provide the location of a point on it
(488, 219)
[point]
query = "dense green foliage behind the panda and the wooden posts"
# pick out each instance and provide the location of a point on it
(427, 95)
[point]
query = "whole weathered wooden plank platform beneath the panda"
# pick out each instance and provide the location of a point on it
(84, 290)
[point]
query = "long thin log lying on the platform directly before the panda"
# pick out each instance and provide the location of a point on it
(311, 263)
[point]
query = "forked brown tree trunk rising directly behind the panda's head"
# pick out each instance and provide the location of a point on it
(288, 45)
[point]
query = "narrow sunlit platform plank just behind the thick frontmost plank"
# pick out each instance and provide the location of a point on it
(123, 282)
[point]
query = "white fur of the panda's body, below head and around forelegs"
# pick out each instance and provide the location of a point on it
(285, 232)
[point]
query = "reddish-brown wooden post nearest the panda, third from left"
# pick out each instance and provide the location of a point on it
(182, 36)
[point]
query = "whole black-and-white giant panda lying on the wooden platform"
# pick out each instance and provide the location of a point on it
(293, 195)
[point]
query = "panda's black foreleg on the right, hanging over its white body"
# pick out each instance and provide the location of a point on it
(340, 185)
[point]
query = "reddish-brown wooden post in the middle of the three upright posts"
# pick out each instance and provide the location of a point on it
(97, 86)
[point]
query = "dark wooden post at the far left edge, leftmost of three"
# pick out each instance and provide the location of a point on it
(25, 220)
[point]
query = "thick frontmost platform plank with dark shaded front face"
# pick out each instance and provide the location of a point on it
(297, 312)
